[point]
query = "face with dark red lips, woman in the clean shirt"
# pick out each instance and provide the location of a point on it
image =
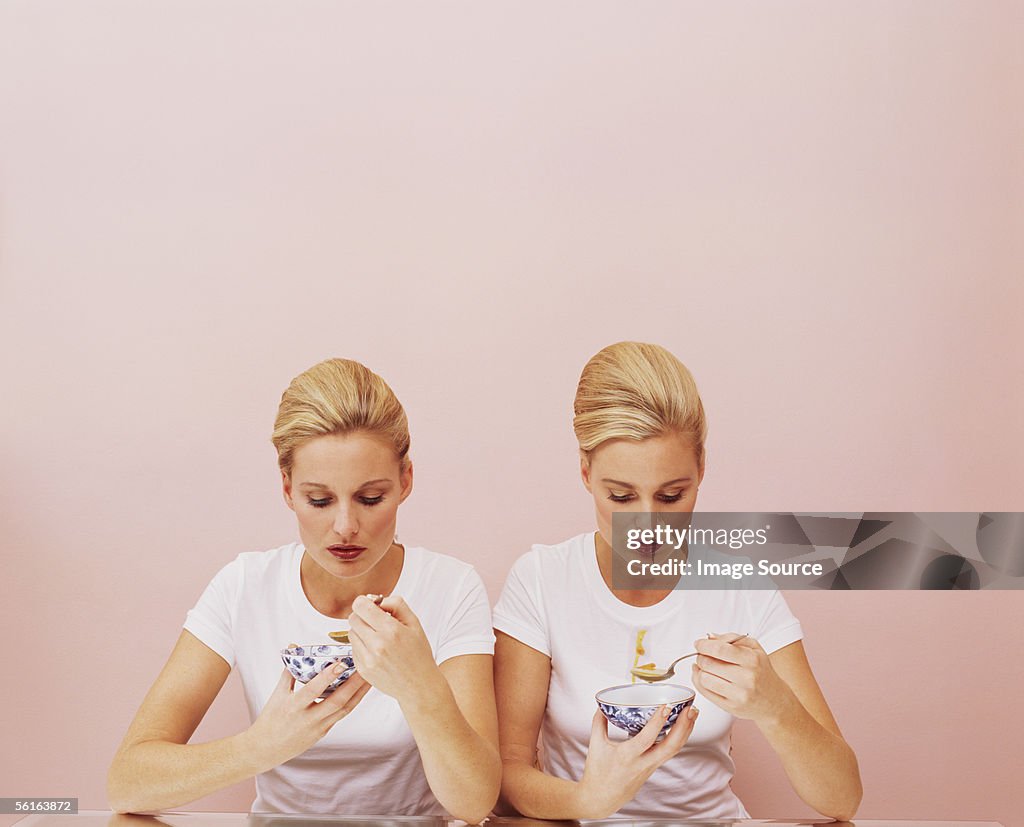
(346, 491)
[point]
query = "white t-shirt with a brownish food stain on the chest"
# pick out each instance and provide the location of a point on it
(557, 602)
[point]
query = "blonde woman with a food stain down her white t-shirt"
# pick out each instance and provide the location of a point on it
(566, 633)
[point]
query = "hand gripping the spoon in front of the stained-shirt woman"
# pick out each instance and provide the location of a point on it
(737, 676)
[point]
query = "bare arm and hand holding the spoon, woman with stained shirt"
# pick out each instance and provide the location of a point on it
(780, 693)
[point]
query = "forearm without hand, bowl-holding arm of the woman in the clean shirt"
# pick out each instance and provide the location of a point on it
(160, 775)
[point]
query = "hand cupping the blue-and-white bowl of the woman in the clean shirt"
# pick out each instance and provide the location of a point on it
(292, 722)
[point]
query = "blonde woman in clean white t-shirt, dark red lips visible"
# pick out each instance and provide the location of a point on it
(414, 730)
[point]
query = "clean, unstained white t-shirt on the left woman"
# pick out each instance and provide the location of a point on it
(369, 762)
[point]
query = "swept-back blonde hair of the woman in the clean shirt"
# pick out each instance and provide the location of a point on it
(338, 397)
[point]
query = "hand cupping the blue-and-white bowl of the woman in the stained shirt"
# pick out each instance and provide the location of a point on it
(616, 770)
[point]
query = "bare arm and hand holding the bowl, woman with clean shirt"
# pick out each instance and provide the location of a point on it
(157, 769)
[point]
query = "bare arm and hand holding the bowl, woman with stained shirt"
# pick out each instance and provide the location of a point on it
(614, 773)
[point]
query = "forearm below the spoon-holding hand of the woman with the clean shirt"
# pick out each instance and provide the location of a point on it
(462, 768)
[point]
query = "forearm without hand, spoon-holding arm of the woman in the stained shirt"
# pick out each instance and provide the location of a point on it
(821, 765)
